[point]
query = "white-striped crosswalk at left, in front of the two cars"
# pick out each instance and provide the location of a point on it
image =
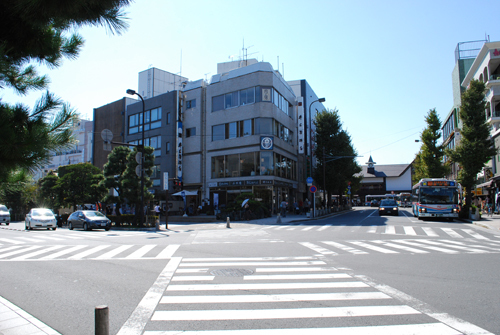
(86, 252)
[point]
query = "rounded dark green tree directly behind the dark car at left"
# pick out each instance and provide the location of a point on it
(79, 184)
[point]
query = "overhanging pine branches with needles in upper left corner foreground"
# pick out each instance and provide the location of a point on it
(42, 31)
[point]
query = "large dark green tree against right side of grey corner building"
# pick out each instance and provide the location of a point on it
(335, 154)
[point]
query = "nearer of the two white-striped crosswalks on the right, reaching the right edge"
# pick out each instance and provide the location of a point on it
(397, 246)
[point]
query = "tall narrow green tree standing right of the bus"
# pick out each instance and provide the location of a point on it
(476, 147)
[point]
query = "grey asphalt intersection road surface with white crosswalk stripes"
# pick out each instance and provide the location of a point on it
(357, 272)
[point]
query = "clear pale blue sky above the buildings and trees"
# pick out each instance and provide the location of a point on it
(382, 64)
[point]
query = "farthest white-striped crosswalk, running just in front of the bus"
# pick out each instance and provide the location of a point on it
(385, 230)
